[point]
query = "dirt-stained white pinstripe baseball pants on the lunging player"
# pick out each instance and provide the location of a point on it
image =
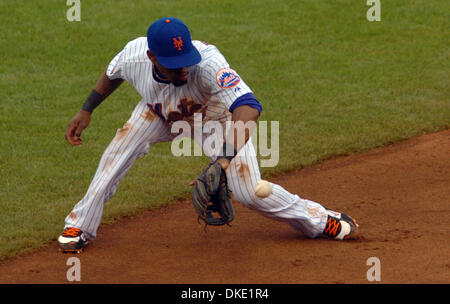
(144, 129)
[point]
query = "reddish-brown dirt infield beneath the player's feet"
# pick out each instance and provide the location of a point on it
(399, 195)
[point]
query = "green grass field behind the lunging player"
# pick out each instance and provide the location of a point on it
(337, 83)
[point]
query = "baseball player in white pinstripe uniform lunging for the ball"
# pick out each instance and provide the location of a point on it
(177, 79)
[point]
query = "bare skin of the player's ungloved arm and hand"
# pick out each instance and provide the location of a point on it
(80, 121)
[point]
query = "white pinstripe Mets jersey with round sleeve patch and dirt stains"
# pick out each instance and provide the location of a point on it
(208, 90)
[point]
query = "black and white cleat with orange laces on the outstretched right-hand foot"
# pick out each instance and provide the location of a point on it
(340, 226)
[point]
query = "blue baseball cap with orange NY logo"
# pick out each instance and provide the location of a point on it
(170, 40)
